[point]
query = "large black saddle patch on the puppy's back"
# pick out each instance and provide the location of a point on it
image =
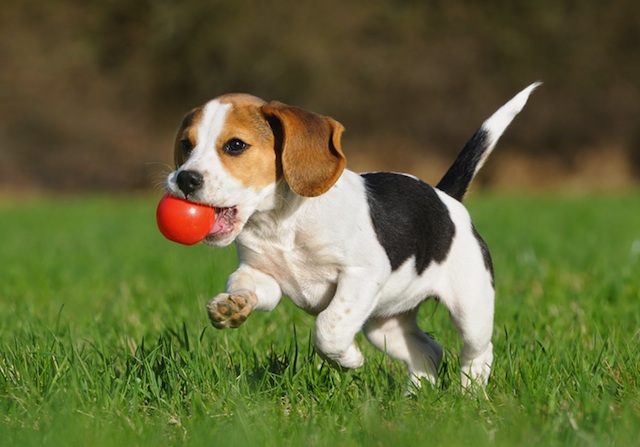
(409, 219)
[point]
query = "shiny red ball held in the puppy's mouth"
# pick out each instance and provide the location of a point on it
(184, 222)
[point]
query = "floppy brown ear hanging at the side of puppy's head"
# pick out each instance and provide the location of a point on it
(312, 158)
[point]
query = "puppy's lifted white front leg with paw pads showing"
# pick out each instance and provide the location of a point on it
(247, 289)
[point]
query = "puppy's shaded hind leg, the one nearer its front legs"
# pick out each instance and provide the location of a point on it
(400, 337)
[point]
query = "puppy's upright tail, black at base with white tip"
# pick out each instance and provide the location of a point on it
(473, 155)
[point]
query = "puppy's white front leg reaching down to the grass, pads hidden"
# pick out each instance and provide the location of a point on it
(337, 325)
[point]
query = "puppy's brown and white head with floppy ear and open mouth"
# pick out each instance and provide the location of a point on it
(232, 152)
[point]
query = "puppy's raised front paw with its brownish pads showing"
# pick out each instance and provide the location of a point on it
(230, 310)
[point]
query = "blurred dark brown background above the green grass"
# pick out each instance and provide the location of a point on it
(92, 92)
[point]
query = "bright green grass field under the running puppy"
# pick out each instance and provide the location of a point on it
(104, 340)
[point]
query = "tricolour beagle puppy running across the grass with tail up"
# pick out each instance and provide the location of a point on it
(358, 251)
